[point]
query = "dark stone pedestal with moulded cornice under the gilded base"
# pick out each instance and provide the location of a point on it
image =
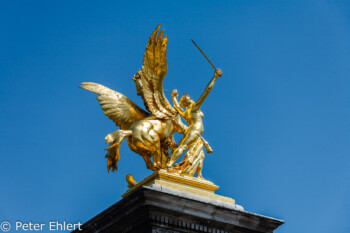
(157, 208)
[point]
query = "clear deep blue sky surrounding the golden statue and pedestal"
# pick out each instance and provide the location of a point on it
(278, 120)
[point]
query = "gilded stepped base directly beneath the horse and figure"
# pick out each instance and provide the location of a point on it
(187, 184)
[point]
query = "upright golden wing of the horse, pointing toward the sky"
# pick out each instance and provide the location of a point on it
(149, 81)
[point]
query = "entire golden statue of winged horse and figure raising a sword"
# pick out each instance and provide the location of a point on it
(150, 133)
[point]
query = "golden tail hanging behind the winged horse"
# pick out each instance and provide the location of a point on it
(115, 140)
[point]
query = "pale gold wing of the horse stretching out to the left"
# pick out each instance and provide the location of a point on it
(120, 109)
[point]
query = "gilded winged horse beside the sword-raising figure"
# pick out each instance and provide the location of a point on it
(148, 133)
